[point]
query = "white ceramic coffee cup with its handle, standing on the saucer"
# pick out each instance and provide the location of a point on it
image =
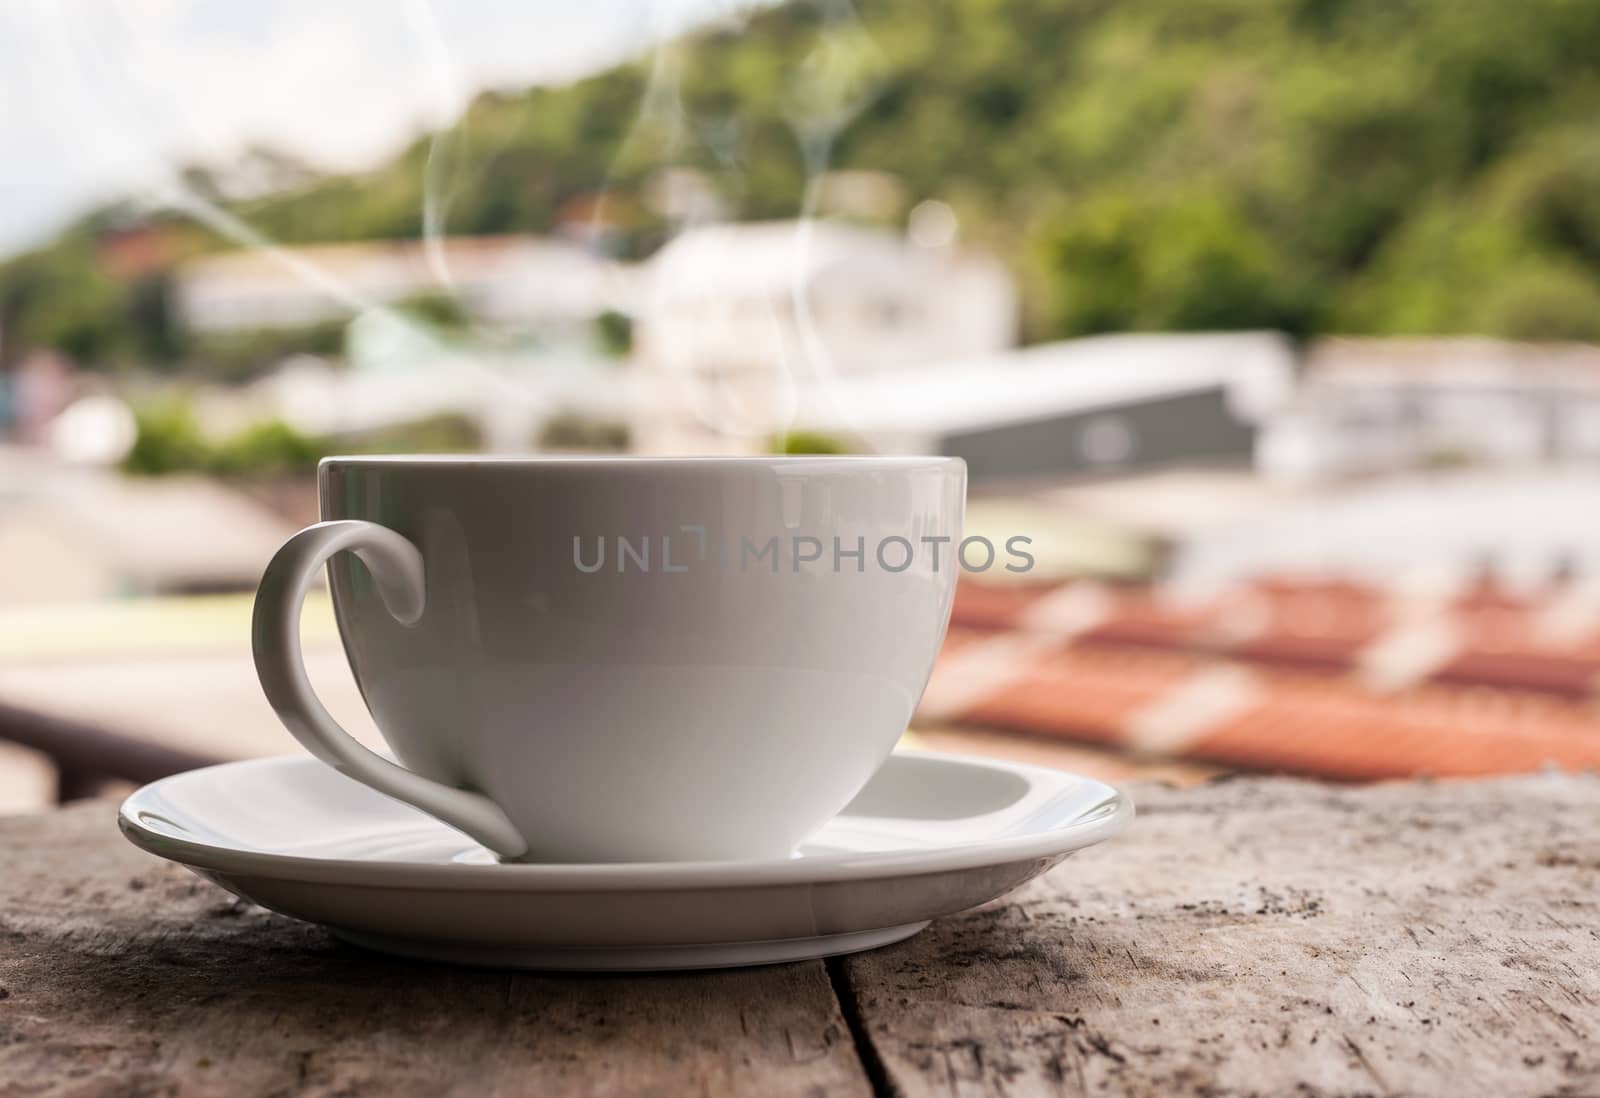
(622, 659)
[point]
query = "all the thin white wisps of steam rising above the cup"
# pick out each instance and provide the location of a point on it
(98, 42)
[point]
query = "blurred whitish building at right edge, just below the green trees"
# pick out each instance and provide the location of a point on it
(1386, 406)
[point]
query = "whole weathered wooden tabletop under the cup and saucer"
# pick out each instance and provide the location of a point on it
(1246, 937)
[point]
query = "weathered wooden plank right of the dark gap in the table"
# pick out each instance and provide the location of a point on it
(1273, 939)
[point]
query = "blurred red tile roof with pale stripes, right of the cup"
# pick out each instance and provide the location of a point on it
(1279, 676)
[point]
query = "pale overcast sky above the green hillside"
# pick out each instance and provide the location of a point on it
(103, 98)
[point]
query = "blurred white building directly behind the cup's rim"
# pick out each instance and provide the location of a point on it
(734, 321)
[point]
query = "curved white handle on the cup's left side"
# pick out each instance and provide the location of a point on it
(398, 569)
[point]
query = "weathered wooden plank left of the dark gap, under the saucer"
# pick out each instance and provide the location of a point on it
(121, 976)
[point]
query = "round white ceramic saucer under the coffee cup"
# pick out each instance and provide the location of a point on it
(927, 838)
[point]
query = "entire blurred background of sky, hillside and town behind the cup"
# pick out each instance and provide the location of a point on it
(1271, 323)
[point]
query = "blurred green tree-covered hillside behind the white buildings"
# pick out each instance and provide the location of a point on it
(1311, 166)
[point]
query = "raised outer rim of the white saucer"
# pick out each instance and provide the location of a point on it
(1052, 843)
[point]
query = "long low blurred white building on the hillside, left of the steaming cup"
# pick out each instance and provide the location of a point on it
(508, 281)
